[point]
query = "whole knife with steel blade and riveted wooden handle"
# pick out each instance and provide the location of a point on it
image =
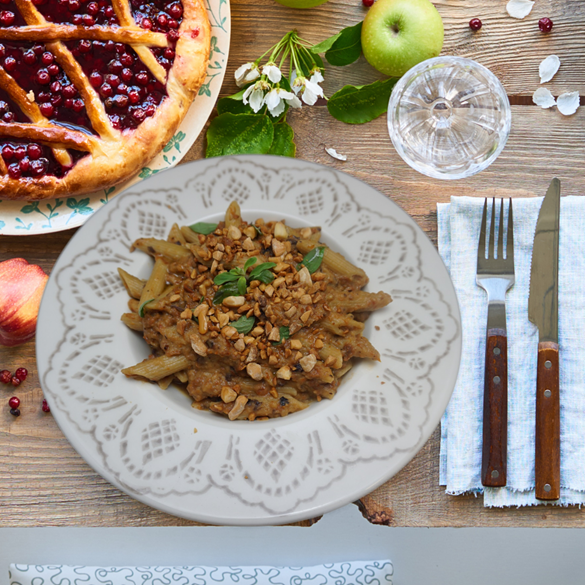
(543, 312)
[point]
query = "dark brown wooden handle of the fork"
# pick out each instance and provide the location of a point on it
(495, 410)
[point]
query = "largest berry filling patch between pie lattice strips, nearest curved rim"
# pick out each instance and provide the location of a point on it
(129, 91)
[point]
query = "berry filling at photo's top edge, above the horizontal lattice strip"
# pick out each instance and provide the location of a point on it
(78, 12)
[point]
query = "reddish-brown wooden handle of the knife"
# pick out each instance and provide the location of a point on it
(548, 428)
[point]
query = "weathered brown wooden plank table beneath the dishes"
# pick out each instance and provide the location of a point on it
(42, 479)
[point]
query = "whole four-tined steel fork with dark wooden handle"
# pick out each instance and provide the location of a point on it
(495, 274)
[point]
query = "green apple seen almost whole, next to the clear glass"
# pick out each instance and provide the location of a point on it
(398, 34)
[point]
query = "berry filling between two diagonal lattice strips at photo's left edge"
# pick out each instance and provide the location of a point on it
(34, 70)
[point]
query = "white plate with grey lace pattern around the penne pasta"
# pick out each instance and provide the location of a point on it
(142, 439)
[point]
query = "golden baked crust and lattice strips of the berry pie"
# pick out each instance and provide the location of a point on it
(113, 155)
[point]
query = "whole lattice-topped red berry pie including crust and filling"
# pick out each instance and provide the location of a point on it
(90, 90)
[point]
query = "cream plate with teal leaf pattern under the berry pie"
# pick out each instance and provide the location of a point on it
(22, 218)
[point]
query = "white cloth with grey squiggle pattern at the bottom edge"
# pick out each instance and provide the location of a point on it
(346, 573)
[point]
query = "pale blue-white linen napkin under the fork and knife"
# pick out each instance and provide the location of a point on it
(461, 427)
